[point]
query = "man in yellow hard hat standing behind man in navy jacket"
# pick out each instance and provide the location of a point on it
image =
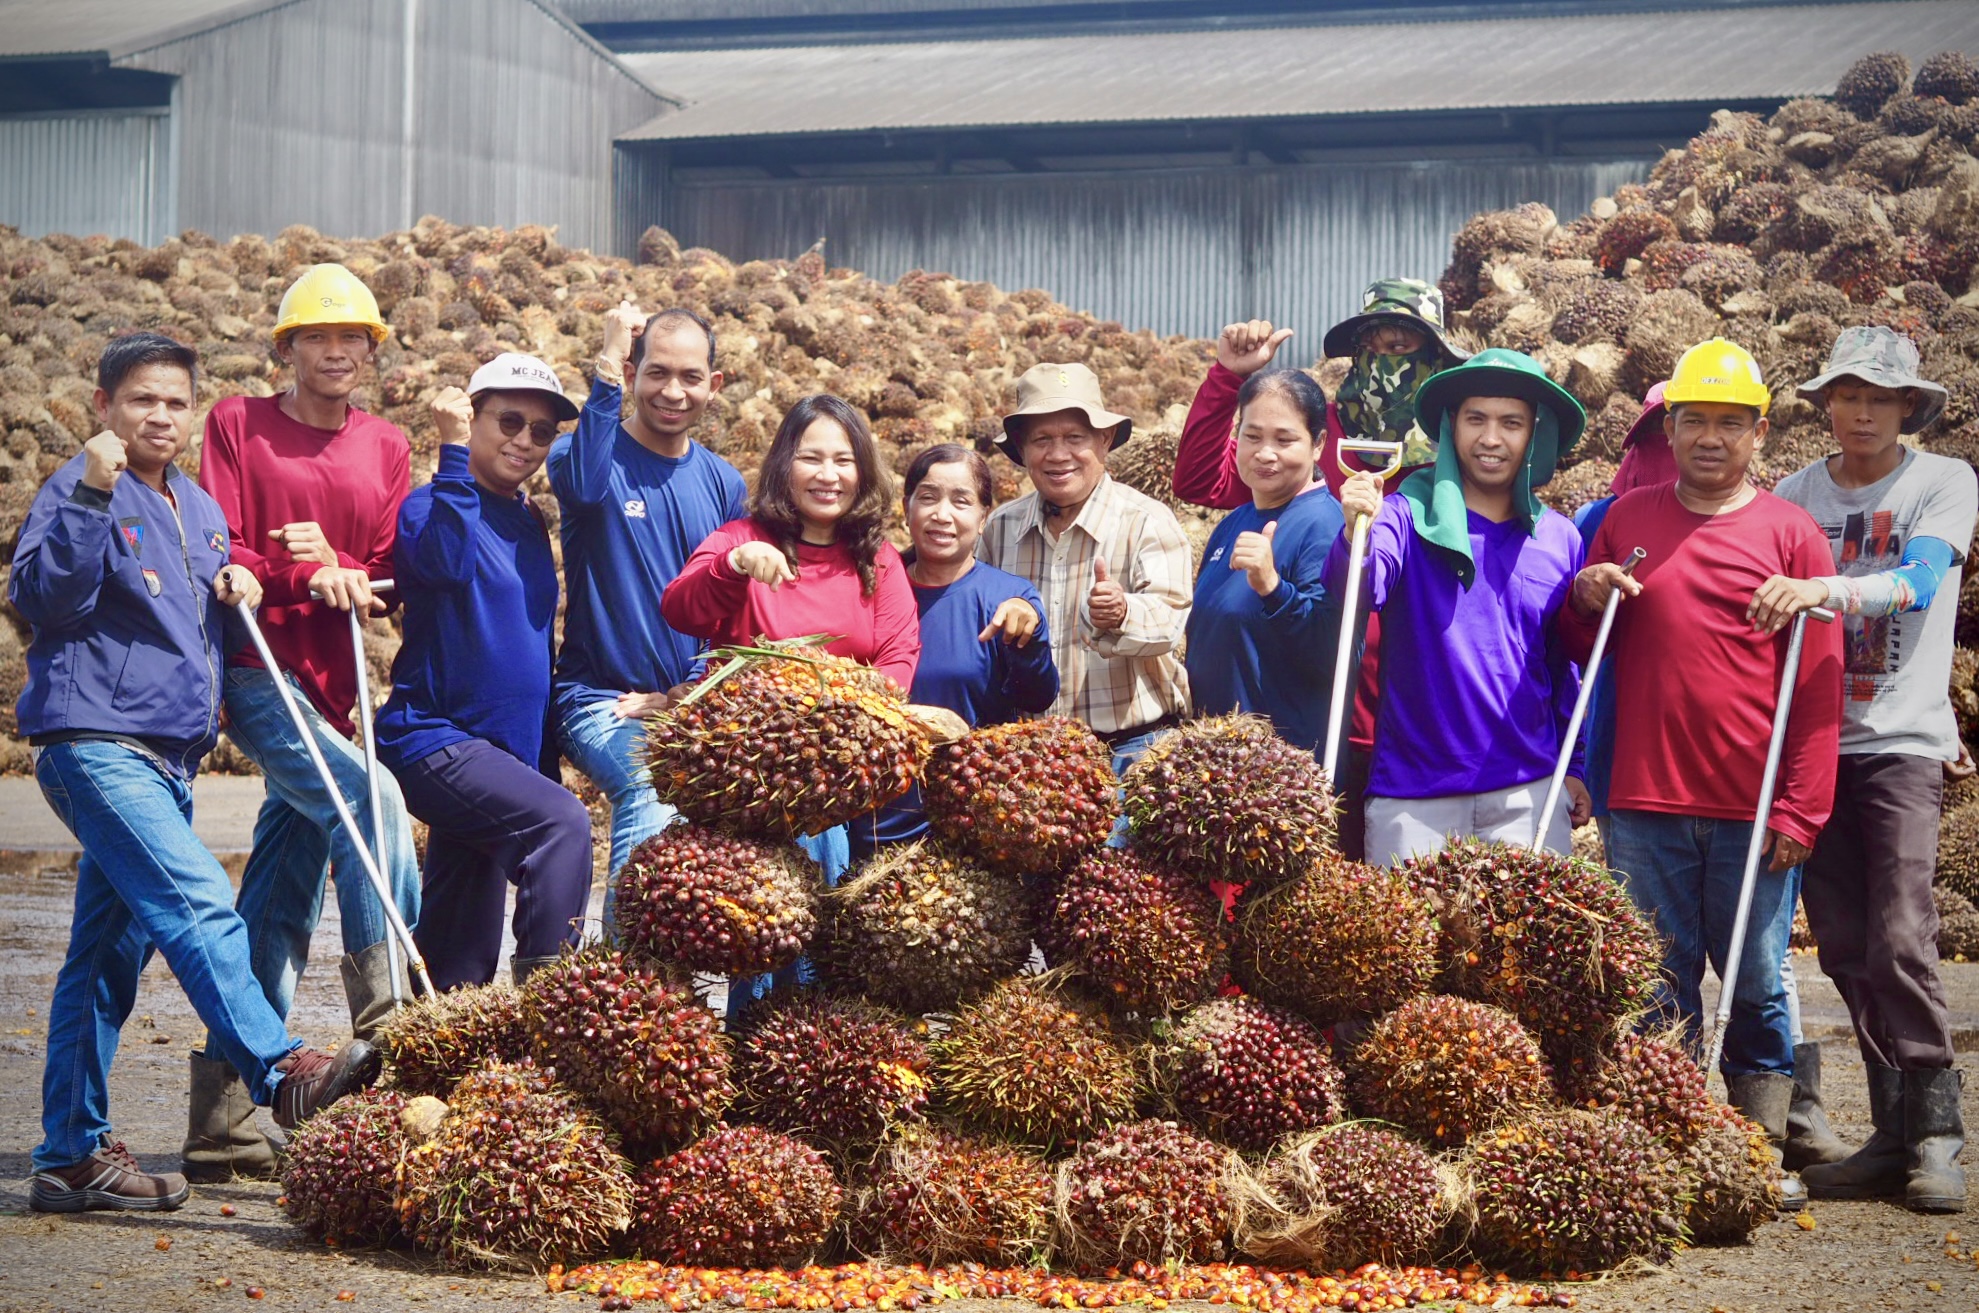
(310, 486)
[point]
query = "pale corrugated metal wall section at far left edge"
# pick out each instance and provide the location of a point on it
(94, 173)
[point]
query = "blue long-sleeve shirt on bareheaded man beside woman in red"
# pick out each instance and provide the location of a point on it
(630, 522)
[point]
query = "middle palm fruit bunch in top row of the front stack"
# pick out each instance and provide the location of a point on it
(1024, 799)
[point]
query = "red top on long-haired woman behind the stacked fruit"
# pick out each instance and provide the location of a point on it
(711, 601)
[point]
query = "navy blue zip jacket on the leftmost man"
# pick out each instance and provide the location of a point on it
(128, 633)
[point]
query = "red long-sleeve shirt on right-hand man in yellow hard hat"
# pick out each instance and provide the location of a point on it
(1695, 682)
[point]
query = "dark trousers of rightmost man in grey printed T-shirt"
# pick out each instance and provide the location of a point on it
(1869, 902)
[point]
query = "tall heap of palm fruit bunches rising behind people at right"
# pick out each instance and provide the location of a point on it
(1776, 233)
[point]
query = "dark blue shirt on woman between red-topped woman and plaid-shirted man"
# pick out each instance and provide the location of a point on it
(983, 682)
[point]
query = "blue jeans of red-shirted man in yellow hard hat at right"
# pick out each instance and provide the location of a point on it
(1685, 874)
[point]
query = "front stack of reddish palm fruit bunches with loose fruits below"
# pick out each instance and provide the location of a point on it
(1244, 1055)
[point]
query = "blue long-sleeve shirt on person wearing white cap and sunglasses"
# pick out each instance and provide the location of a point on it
(480, 591)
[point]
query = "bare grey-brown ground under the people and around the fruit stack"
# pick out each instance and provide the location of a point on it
(1857, 1257)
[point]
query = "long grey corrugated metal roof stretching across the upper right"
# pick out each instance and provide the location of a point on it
(1293, 72)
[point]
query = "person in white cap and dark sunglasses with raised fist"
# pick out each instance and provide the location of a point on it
(464, 728)
